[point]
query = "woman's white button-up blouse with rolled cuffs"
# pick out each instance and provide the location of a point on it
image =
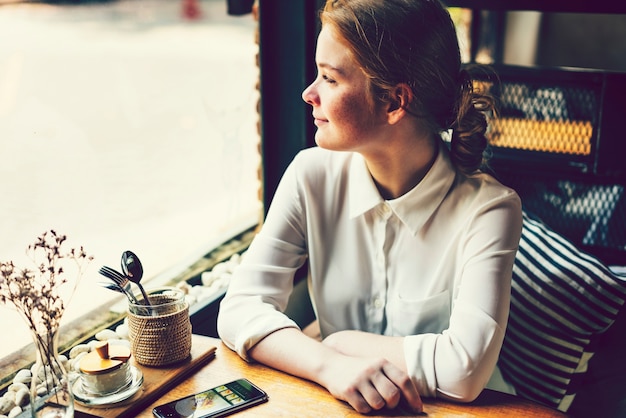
(433, 265)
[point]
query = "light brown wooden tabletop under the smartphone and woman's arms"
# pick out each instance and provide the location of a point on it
(289, 396)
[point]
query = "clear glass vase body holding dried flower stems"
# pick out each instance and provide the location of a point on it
(50, 391)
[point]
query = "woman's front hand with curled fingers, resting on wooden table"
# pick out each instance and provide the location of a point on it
(369, 383)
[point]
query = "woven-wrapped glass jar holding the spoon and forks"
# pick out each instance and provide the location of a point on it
(160, 334)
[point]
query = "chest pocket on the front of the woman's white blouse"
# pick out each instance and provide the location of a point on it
(411, 316)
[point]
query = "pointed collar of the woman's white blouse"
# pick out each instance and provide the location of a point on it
(414, 207)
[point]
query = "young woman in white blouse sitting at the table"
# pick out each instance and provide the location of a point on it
(410, 246)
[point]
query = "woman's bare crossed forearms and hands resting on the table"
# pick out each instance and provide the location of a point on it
(367, 380)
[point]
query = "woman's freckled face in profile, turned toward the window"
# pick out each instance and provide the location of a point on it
(342, 107)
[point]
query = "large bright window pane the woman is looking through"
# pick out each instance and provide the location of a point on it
(125, 125)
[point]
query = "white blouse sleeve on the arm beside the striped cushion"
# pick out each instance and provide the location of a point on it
(458, 362)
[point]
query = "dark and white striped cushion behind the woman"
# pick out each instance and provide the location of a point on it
(561, 300)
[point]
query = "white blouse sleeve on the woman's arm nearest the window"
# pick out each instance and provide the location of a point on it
(260, 287)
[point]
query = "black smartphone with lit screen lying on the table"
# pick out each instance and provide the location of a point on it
(216, 402)
